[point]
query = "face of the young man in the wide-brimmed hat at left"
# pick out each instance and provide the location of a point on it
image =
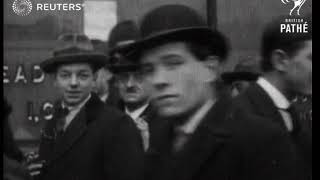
(74, 82)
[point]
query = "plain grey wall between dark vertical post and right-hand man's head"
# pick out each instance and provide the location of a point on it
(243, 22)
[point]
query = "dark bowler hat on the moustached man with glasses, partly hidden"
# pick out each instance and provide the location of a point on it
(122, 34)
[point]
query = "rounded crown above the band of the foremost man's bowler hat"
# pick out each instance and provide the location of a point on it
(170, 17)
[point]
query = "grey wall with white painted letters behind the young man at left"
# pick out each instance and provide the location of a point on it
(28, 40)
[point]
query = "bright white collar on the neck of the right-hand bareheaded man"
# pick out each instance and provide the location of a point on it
(277, 97)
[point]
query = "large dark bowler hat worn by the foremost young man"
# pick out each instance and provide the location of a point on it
(176, 23)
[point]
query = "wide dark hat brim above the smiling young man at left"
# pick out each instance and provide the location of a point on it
(96, 60)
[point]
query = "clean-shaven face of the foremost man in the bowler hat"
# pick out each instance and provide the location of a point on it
(180, 82)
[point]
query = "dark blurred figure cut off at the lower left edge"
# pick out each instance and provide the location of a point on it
(13, 168)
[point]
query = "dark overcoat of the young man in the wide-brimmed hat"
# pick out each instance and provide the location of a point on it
(100, 143)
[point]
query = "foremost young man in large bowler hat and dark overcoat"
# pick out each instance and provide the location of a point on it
(181, 57)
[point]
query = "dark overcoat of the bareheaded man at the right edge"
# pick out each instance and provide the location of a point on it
(261, 147)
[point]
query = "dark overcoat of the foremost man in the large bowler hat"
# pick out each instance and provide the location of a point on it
(196, 161)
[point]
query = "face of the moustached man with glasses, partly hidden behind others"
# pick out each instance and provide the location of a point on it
(132, 88)
